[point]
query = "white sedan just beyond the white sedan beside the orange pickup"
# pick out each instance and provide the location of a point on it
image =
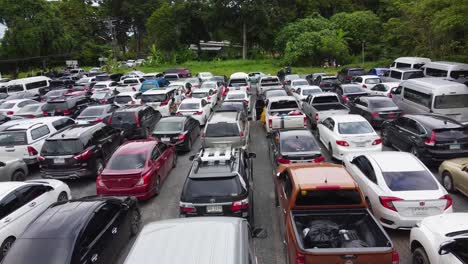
(344, 134)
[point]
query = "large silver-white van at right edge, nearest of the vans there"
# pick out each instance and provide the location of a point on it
(433, 95)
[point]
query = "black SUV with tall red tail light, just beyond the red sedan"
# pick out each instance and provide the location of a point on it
(136, 121)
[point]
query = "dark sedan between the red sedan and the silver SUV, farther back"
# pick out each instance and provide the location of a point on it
(182, 131)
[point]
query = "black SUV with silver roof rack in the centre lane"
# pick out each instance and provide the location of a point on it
(219, 183)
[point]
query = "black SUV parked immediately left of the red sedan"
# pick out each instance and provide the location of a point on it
(78, 151)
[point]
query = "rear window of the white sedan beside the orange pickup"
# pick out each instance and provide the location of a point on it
(410, 181)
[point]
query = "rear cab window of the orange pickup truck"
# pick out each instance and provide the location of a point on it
(328, 197)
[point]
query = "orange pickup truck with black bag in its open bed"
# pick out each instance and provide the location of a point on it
(326, 219)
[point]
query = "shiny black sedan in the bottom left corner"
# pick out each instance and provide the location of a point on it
(88, 230)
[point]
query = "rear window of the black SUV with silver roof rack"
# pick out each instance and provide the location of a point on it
(212, 187)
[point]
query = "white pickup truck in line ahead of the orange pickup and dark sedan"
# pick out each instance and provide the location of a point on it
(283, 112)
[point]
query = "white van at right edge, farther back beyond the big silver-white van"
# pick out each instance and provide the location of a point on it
(447, 69)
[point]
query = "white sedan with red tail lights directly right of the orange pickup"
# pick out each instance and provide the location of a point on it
(399, 189)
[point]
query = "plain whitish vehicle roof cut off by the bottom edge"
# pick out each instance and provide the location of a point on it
(222, 241)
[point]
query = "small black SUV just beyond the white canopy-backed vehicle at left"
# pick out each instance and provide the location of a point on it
(67, 106)
